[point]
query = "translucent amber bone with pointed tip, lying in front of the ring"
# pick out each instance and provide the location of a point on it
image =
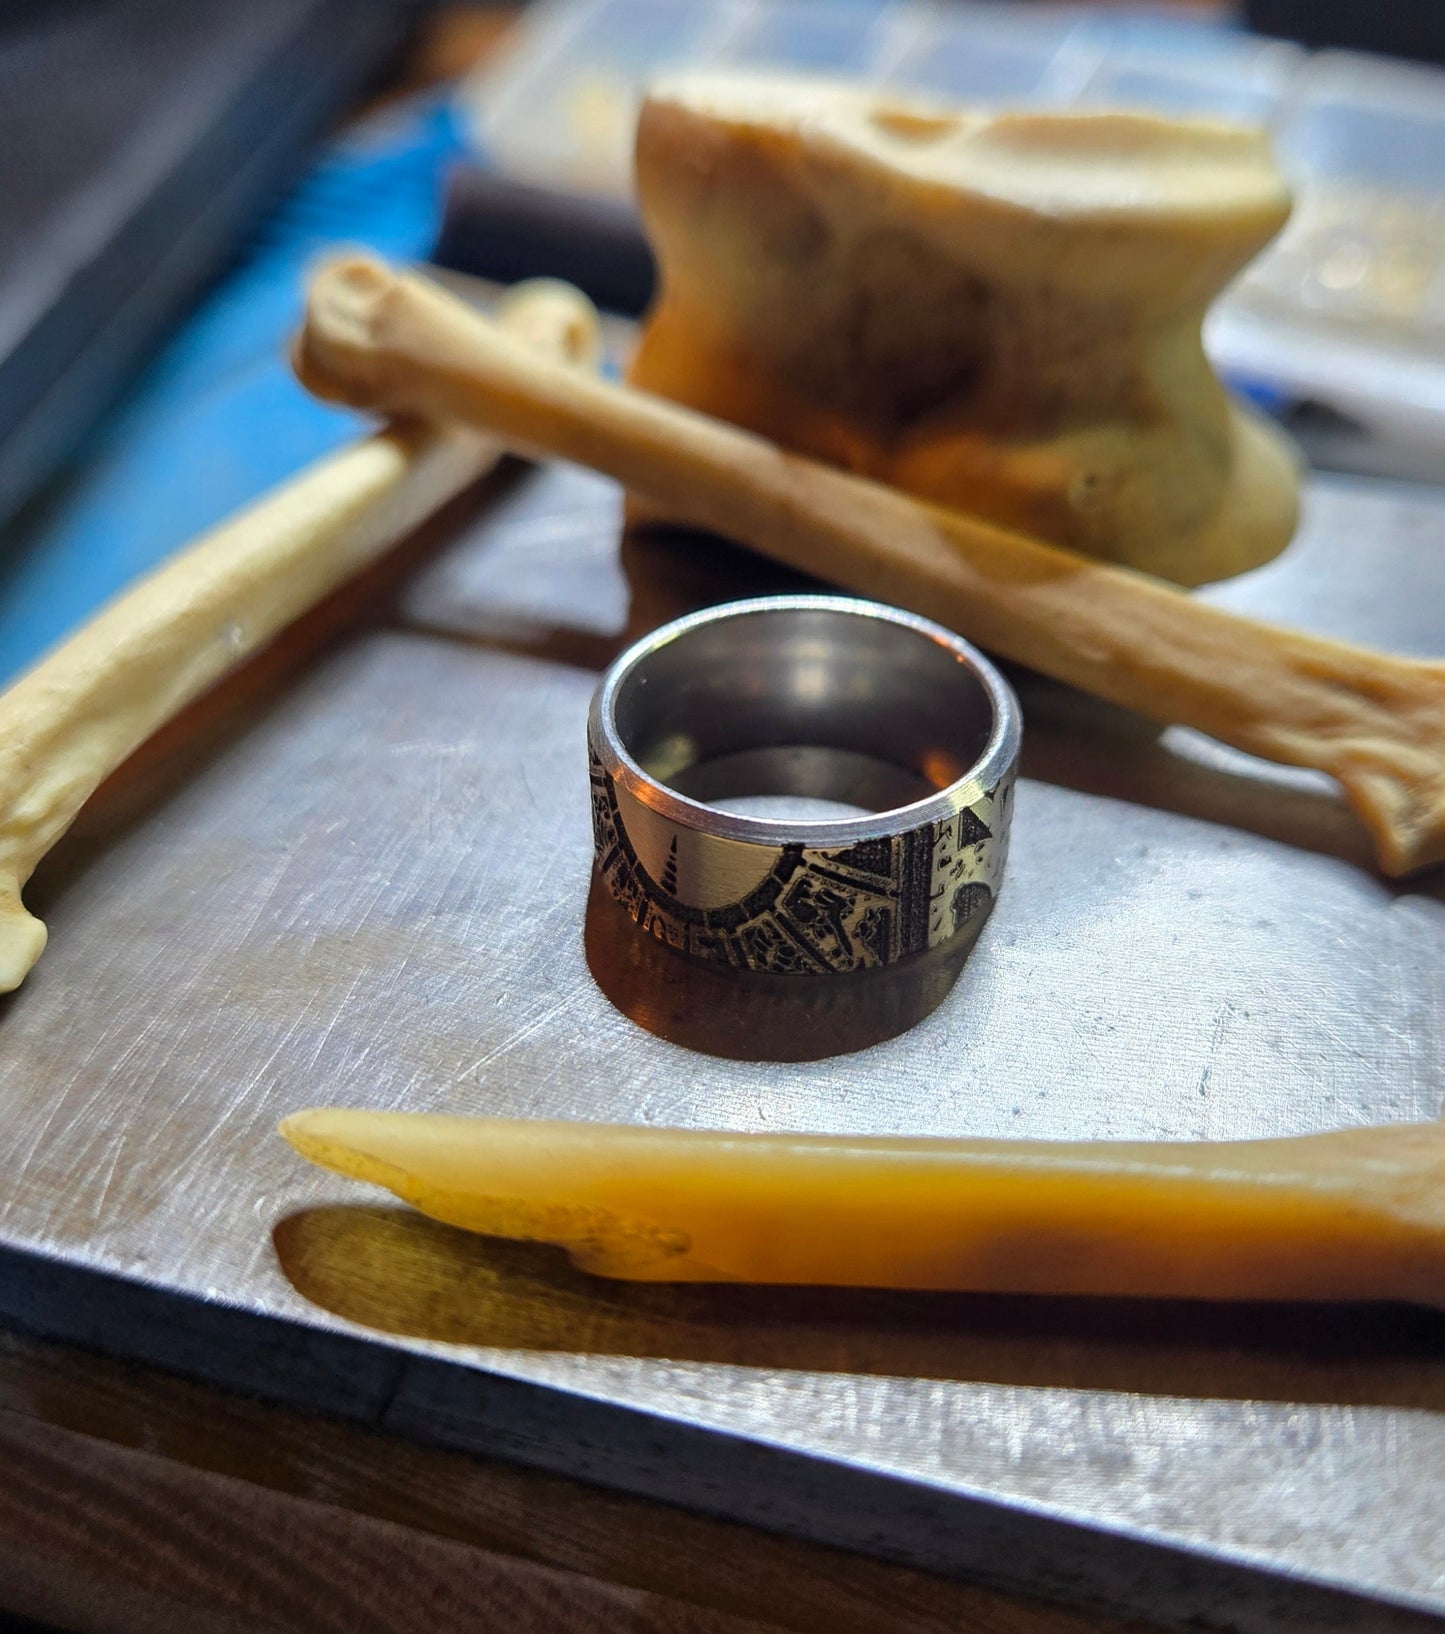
(1349, 1215)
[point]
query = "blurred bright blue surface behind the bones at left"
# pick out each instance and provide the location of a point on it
(218, 419)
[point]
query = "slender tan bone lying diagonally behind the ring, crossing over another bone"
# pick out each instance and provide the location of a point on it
(1376, 723)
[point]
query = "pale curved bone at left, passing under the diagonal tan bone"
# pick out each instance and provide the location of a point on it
(79, 713)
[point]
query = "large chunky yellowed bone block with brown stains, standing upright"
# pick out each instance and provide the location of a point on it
(998, 313)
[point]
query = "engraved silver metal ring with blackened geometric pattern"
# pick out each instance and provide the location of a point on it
(813, 700)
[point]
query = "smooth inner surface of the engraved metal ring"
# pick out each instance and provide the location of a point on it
(805, 715)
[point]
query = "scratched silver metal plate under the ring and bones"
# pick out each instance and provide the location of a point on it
(362, 875)
